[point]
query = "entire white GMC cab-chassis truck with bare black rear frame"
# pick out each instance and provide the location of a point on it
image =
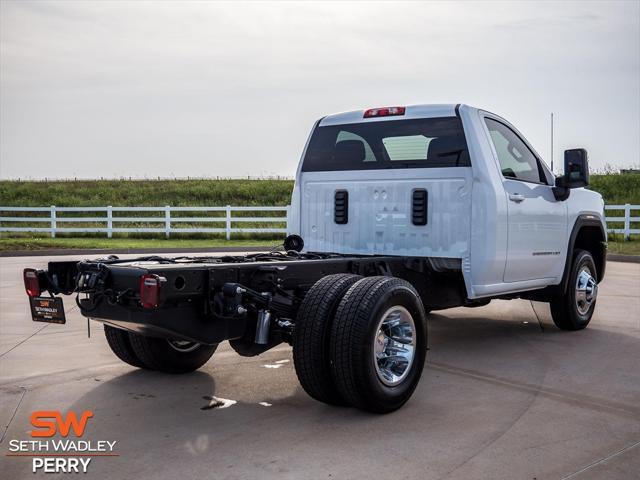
(396, 211)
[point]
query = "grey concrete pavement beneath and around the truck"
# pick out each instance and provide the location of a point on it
(499, 398)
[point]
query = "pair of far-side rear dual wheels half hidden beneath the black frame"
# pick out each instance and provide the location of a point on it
(169, 356)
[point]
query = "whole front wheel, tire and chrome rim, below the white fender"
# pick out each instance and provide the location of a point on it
(574, 309)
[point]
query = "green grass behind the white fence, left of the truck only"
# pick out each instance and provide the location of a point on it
(134, 193)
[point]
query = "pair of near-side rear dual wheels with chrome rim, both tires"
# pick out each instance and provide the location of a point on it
(361, 342)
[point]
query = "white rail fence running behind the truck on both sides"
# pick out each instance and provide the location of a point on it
(225, 223)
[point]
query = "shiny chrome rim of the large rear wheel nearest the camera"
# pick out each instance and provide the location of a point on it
(394, 345)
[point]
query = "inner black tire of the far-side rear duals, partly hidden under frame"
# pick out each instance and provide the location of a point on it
(159, 354)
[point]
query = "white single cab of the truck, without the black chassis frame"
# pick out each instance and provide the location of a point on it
(453, 183)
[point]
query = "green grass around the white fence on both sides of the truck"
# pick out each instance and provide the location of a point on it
(615, 188)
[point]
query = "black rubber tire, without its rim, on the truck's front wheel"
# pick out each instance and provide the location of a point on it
(565, 311)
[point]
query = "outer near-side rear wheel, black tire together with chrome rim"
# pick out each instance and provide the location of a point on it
(378, 344)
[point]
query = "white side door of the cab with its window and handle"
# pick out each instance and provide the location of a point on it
(537, 222)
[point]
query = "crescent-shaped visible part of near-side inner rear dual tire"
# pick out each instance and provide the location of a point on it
(311, 336)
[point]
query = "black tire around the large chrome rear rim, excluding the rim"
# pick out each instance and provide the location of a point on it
(352, 343)
